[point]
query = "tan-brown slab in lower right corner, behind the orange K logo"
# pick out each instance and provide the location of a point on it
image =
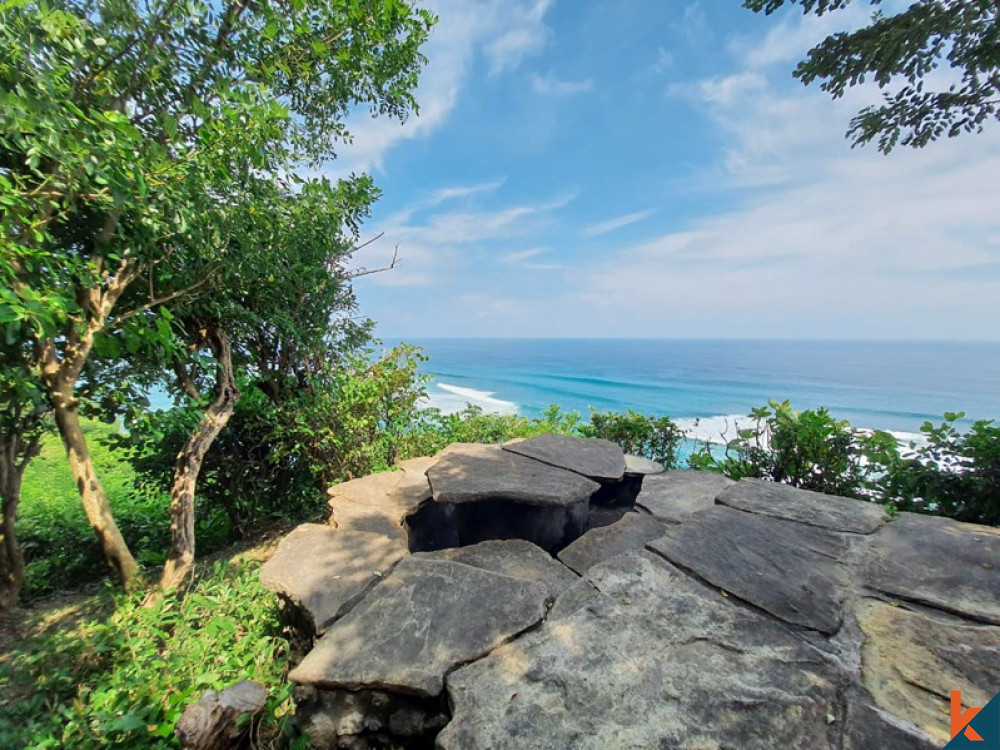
(912, 662)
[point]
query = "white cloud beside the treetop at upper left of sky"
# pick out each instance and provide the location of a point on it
(504, 32)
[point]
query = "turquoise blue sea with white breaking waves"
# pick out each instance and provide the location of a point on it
(894, 386)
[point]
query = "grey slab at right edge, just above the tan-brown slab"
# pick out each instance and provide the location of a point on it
(941, 563)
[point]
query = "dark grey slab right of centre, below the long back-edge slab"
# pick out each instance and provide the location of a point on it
(788, 569)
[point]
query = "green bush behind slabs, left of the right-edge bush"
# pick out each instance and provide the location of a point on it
(808, 449)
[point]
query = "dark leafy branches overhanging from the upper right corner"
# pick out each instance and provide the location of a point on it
(899, 52)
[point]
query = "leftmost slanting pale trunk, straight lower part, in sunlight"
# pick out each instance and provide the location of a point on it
(95, 500)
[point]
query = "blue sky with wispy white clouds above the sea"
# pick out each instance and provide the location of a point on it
(650, 168)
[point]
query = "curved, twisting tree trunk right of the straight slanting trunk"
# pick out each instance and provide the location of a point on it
(182, 542)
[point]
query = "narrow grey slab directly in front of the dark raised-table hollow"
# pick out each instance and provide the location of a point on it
(515, 558)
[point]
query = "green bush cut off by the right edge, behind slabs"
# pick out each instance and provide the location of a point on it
(950, 473)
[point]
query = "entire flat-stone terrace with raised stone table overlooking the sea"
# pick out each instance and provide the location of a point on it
(511, 601)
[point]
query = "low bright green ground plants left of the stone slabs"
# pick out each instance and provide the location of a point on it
(124, 682)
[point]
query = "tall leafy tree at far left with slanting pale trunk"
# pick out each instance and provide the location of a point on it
(123, 129)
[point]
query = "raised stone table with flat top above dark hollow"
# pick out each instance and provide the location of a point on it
(497, 494)
